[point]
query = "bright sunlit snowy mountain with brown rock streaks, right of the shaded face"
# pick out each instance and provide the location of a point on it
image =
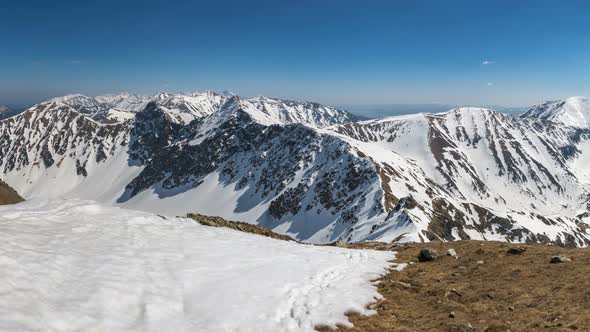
(503, 177)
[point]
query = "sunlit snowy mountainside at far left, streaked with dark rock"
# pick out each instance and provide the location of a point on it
(52, 149)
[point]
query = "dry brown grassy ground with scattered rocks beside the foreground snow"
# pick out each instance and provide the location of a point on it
(505, 293)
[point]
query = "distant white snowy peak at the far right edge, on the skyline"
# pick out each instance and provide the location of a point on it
(573, 112)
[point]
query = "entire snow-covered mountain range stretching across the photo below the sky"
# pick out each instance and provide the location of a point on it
(310, 171)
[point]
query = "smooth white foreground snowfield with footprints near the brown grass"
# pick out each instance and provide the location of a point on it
(75, 265)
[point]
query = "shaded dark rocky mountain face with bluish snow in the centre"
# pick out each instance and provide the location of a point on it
(289, 178)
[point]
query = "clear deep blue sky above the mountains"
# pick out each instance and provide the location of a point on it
(335, 52)
